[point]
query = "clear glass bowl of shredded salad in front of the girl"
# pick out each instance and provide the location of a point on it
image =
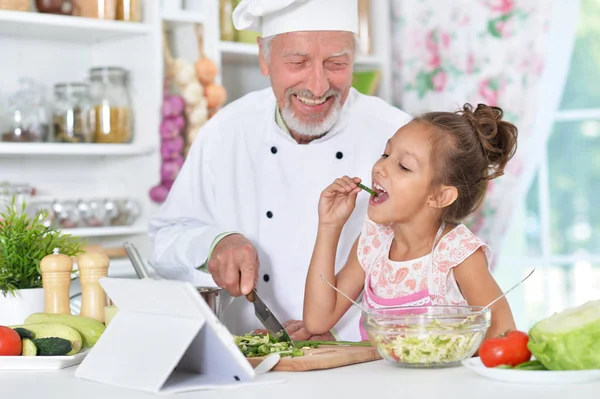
(426, 336)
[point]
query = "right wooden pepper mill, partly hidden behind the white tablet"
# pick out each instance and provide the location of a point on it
(92, 266)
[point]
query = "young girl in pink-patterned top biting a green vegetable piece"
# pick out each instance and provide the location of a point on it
(413, 248)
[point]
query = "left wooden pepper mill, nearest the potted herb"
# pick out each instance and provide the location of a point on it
(56, 280)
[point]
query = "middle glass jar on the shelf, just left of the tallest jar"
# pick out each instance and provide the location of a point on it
(70, 114)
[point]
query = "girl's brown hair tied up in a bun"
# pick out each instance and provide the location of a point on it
(471, 147)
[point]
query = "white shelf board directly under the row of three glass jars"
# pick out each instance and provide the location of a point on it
(69, 149)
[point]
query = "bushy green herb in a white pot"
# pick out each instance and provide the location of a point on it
(24, 241)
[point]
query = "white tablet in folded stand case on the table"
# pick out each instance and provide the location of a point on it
(164, 338)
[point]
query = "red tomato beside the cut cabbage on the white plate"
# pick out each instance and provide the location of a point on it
(507, 349)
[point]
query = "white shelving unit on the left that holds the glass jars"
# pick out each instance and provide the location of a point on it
(53, 49)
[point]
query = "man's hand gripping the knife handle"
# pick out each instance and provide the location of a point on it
(234, 265)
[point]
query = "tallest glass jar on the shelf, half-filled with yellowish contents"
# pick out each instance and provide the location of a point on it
(111, 118)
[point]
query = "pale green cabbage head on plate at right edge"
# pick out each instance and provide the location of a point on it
(569, 340)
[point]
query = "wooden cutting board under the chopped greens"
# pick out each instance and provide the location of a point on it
(323, 357)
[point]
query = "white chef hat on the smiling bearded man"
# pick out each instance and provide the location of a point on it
(272, 17)
